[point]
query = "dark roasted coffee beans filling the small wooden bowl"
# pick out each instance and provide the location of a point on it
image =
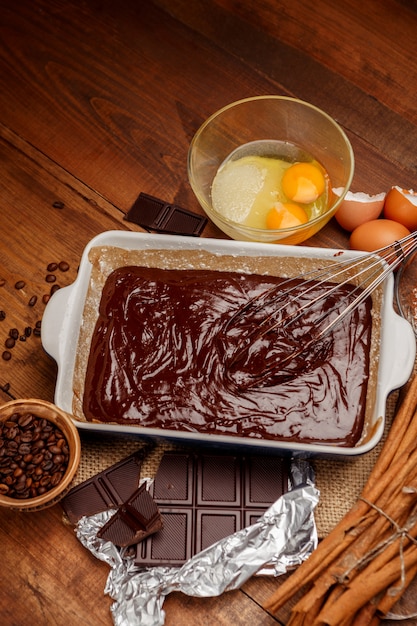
(28, 466)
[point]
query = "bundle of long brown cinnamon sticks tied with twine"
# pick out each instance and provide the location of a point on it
(389, 490)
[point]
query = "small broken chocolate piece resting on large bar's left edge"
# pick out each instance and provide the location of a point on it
(135, 519)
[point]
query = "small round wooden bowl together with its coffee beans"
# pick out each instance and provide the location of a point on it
(40, 452)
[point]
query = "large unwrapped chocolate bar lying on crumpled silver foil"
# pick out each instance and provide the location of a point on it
(207, 497)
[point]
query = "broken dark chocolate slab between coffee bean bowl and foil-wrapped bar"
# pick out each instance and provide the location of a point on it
(108, 489)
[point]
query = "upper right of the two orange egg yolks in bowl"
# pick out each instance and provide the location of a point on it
(303, 182)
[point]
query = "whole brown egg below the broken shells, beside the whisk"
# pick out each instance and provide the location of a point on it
(376, 234)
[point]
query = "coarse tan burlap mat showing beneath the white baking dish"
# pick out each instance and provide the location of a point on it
(340, 482)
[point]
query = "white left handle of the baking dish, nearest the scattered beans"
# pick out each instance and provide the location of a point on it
(53, 321)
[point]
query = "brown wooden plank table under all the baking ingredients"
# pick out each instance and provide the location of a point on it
(99, 101)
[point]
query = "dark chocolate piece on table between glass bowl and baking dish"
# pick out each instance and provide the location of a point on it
(154, 214)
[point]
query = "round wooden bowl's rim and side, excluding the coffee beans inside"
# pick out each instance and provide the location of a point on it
(50, 412)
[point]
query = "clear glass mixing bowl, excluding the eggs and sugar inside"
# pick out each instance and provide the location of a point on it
(270, 118)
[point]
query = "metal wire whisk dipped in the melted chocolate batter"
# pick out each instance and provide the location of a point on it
(271, 311)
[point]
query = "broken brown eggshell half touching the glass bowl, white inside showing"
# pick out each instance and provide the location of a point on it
(357, 208)
